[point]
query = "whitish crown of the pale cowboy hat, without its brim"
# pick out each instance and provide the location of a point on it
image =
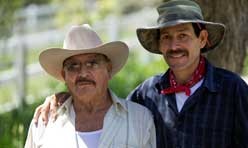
(81, 37)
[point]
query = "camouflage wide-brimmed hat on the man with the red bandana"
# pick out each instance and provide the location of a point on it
(177, 12)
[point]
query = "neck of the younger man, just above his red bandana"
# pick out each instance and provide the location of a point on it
(183, 75)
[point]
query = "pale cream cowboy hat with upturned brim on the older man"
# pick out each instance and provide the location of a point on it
(81, 40)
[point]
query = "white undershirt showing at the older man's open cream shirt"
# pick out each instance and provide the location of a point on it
(88, 139)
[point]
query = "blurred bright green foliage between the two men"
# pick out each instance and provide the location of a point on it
(137, 69)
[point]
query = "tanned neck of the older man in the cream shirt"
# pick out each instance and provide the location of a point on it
(92, 104)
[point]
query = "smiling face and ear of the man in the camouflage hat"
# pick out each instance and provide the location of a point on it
(181, 47)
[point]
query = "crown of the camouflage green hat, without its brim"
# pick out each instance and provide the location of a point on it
(179, 10)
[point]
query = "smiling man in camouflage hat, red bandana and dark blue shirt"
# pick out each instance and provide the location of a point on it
(195, 104)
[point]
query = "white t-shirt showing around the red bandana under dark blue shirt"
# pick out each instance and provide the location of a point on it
(181, 97)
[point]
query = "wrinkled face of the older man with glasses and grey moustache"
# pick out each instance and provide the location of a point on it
(87, 74)
